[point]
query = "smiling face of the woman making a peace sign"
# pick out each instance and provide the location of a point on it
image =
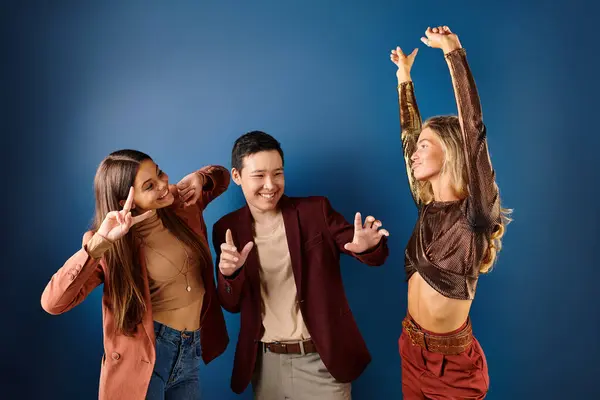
(151, 188)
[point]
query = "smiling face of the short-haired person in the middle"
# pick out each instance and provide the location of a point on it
(262, 180)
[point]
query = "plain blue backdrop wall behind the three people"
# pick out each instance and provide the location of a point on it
(182, 81)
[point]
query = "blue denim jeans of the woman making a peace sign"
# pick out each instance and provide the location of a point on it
(176, 374)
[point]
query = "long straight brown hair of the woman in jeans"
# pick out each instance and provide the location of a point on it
(115, 175)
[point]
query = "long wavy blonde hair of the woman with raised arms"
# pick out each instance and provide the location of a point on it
(448, 131)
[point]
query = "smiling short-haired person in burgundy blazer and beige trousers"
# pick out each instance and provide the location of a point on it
(298, 338)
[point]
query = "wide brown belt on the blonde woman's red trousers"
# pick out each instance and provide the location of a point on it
(448, 344)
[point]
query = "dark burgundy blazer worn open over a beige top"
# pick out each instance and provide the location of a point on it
(316, 235)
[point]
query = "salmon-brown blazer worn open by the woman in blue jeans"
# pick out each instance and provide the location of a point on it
(128, 362)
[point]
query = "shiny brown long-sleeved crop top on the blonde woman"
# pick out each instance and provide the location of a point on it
(450, 239)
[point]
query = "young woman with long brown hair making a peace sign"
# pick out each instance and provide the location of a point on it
(148, 246)
